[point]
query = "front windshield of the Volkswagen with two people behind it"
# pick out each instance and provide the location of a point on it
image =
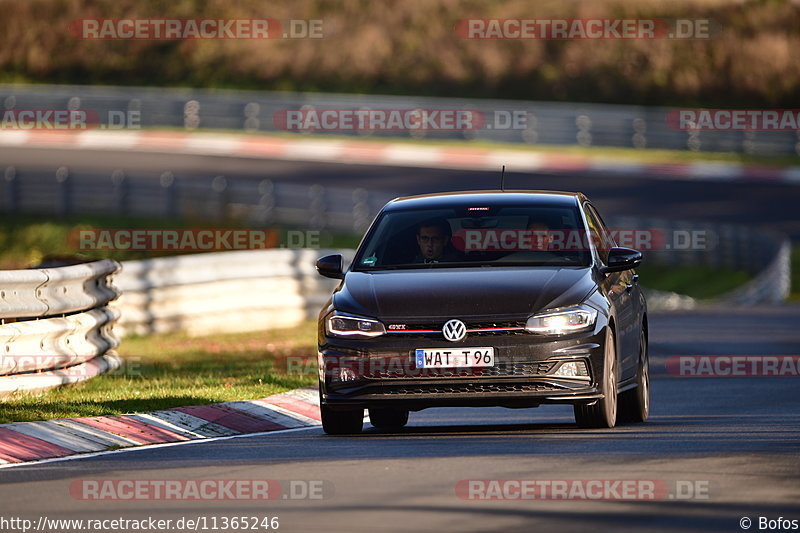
(475, 236)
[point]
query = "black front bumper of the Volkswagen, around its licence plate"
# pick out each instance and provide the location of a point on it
(381, 372)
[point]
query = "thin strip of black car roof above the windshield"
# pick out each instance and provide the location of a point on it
(512, 197)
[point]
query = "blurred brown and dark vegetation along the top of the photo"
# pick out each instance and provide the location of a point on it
(410, 47)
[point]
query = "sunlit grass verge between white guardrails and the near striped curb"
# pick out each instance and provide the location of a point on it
(164, 371)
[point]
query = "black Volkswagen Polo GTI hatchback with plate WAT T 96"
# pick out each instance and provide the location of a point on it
(484, 298)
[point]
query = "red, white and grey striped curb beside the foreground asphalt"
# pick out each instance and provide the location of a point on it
(22, 442)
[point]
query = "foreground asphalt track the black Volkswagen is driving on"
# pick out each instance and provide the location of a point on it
(736, 440)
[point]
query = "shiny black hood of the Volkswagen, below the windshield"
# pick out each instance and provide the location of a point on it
(462, 292)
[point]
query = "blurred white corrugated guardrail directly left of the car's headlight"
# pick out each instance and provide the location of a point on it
(221, 292)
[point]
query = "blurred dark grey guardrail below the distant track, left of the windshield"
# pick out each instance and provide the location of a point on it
(209, 198)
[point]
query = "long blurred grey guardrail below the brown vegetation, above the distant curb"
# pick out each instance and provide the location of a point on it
(547, 123)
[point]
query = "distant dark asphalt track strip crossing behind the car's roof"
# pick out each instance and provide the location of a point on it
(764, 204)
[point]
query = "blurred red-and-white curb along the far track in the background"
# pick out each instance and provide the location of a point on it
(388, 153)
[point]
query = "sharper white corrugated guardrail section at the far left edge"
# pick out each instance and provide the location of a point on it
(56, 325)
